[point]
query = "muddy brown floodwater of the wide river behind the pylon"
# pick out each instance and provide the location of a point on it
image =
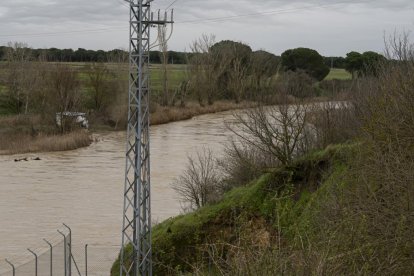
(84, 189)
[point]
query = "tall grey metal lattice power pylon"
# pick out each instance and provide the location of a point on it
(136, 228)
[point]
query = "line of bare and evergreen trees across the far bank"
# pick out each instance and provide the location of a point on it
(225, 70)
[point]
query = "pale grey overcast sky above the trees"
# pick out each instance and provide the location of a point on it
(333, 27)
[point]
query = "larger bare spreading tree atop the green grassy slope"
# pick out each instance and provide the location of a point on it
(280, 131)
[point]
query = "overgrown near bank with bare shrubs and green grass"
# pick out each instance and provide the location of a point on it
(344, 210)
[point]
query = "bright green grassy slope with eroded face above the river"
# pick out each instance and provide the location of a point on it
(282, 200)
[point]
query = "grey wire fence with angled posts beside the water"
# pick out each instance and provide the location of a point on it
(59, 256)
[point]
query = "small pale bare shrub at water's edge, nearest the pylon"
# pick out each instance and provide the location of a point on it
(199, 183)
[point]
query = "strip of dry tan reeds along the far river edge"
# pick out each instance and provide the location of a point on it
(21, 134)
